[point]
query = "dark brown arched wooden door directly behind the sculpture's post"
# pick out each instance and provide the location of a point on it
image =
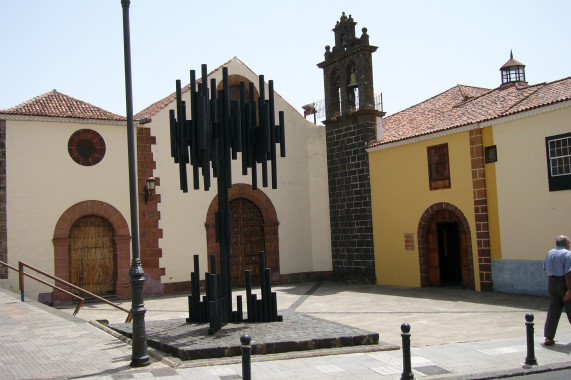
(247, 240)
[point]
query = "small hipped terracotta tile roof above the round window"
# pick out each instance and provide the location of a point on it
(56, 104)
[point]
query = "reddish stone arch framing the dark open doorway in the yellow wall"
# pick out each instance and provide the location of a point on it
(444, 213)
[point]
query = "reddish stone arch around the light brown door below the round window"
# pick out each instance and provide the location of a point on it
(121, 237)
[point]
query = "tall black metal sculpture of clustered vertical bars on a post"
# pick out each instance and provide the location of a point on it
(218, 129)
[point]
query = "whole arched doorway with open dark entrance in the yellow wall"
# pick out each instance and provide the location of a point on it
(445, 250)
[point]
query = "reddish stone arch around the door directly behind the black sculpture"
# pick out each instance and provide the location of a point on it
(264, 203)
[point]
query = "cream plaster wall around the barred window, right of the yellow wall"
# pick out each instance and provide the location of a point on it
(530, 216)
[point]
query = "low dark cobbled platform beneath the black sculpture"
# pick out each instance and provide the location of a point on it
(297, 332)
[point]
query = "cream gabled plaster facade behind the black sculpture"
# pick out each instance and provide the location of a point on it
(300, 200)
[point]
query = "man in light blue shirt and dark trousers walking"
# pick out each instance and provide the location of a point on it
(557, 265)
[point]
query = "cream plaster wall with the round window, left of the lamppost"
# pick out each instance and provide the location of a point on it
(43, 182)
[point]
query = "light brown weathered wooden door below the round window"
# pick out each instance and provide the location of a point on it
(92, 265)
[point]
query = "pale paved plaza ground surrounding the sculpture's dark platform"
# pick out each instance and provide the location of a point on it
(455, 334)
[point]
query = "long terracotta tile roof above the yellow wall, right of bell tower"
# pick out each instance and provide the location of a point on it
(464, 105)
